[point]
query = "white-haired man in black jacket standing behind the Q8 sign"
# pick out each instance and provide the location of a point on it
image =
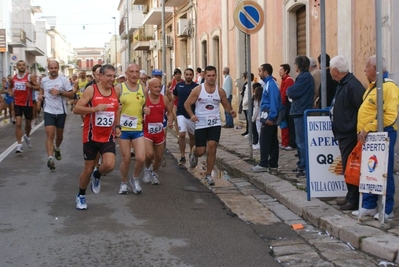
(343, 114)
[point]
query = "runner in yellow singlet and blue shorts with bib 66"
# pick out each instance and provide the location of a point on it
(132, 96)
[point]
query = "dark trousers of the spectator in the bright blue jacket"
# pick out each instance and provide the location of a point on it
(269, 151)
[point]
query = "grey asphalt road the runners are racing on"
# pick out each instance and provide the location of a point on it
(177, 223)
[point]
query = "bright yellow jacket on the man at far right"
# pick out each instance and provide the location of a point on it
(367, 115)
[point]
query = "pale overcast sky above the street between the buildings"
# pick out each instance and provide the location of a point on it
(74, 15)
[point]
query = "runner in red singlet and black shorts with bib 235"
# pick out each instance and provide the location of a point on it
(99, 104)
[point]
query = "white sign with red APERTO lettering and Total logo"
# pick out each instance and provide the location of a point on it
(374, 167)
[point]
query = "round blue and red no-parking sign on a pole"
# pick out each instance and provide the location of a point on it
(248, 17)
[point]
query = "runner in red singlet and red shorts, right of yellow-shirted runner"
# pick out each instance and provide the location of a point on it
(154, 134)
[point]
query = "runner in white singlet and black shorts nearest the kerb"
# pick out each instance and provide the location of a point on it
(207, 98)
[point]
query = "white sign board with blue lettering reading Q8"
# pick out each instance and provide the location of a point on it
(325, 176)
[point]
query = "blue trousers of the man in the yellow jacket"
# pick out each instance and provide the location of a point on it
(370, 200)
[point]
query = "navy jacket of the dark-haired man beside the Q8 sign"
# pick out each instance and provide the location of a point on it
(301, 93)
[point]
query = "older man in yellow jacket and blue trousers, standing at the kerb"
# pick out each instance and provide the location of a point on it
(367, 122)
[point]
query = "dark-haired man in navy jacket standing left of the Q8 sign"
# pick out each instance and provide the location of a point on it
(301, 93)
